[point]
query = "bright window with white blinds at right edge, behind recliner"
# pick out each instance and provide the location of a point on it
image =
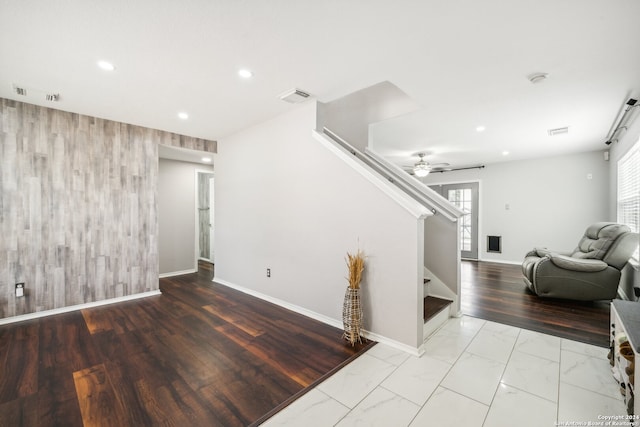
(629, 190)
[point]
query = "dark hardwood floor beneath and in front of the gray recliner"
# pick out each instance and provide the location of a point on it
(496, 292)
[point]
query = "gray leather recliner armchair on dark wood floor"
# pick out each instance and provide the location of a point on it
(591, 272)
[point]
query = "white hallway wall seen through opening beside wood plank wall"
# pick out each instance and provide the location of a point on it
(177, 215)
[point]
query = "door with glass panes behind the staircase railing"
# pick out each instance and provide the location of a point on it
(465, 197)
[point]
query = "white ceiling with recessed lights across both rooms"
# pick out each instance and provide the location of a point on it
(465, 62)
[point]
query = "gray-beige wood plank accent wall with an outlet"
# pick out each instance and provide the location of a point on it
(78, 207)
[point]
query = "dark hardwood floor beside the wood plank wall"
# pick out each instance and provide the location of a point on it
(200, 354)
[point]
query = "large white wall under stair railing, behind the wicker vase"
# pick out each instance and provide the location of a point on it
(285, 202)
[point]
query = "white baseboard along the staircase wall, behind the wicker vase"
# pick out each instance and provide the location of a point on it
(336, 323)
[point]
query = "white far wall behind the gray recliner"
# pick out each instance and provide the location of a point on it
(551, 201)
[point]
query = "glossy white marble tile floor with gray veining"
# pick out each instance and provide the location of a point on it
(473, 373)
